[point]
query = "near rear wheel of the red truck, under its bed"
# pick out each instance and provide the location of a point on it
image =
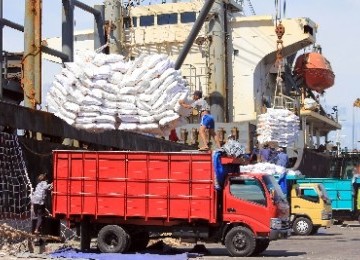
(113, 239)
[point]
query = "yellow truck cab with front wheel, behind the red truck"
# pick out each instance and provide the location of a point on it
(310, 208)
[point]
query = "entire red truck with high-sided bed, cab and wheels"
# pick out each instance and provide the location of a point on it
(122, 197)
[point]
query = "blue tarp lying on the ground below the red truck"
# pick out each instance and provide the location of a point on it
(72, 253)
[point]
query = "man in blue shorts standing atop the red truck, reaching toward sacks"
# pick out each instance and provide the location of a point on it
(207, 121)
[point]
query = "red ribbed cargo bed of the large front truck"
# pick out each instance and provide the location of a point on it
(145, 185)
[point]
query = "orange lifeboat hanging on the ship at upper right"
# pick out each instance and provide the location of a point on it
(316, 71)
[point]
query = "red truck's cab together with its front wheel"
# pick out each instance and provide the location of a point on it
(255, 207)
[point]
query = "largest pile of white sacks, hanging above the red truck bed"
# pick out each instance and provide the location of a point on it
(101, 92)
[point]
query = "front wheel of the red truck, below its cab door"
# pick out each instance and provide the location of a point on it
(240, 241)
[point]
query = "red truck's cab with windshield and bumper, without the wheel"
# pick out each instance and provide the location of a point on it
(256, 198)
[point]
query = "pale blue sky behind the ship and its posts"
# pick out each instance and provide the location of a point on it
(338, 34)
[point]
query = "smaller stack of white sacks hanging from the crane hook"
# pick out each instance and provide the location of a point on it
(278, 125)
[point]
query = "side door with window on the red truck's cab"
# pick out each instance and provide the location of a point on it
(245, 200)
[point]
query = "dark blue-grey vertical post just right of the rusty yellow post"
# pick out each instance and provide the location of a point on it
(68, 29)
